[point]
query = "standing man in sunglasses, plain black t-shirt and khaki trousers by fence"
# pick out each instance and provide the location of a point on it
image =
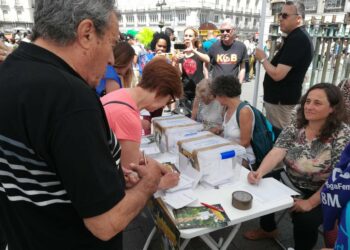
(286, 71)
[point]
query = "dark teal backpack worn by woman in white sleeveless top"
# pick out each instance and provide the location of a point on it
(264, 134)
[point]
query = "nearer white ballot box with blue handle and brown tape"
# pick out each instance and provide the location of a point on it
(212, 156)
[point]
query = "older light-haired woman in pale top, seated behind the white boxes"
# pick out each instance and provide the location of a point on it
(210, 111)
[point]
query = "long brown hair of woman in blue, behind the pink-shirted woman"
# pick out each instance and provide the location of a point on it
(123, 56)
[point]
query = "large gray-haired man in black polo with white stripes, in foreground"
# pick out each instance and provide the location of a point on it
(61, 184)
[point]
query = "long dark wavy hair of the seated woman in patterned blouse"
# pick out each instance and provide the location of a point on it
(335, 119)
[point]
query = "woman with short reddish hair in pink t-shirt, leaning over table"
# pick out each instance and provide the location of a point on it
(160, 85)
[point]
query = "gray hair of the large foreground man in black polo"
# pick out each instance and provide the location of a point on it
(57, 20)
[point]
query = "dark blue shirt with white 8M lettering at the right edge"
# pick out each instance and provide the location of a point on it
(335, 197)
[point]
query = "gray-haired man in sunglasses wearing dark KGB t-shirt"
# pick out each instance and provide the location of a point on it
(228, 56)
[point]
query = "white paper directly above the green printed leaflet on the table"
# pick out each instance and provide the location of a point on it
(180, 199)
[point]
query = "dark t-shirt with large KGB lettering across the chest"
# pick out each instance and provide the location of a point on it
(226, 60)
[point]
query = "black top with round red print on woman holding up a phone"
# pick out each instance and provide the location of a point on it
(192, 74)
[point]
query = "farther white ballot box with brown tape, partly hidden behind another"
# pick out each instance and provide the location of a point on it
(167, 129)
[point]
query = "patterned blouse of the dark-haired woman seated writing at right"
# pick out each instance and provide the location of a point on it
(309, 163)
